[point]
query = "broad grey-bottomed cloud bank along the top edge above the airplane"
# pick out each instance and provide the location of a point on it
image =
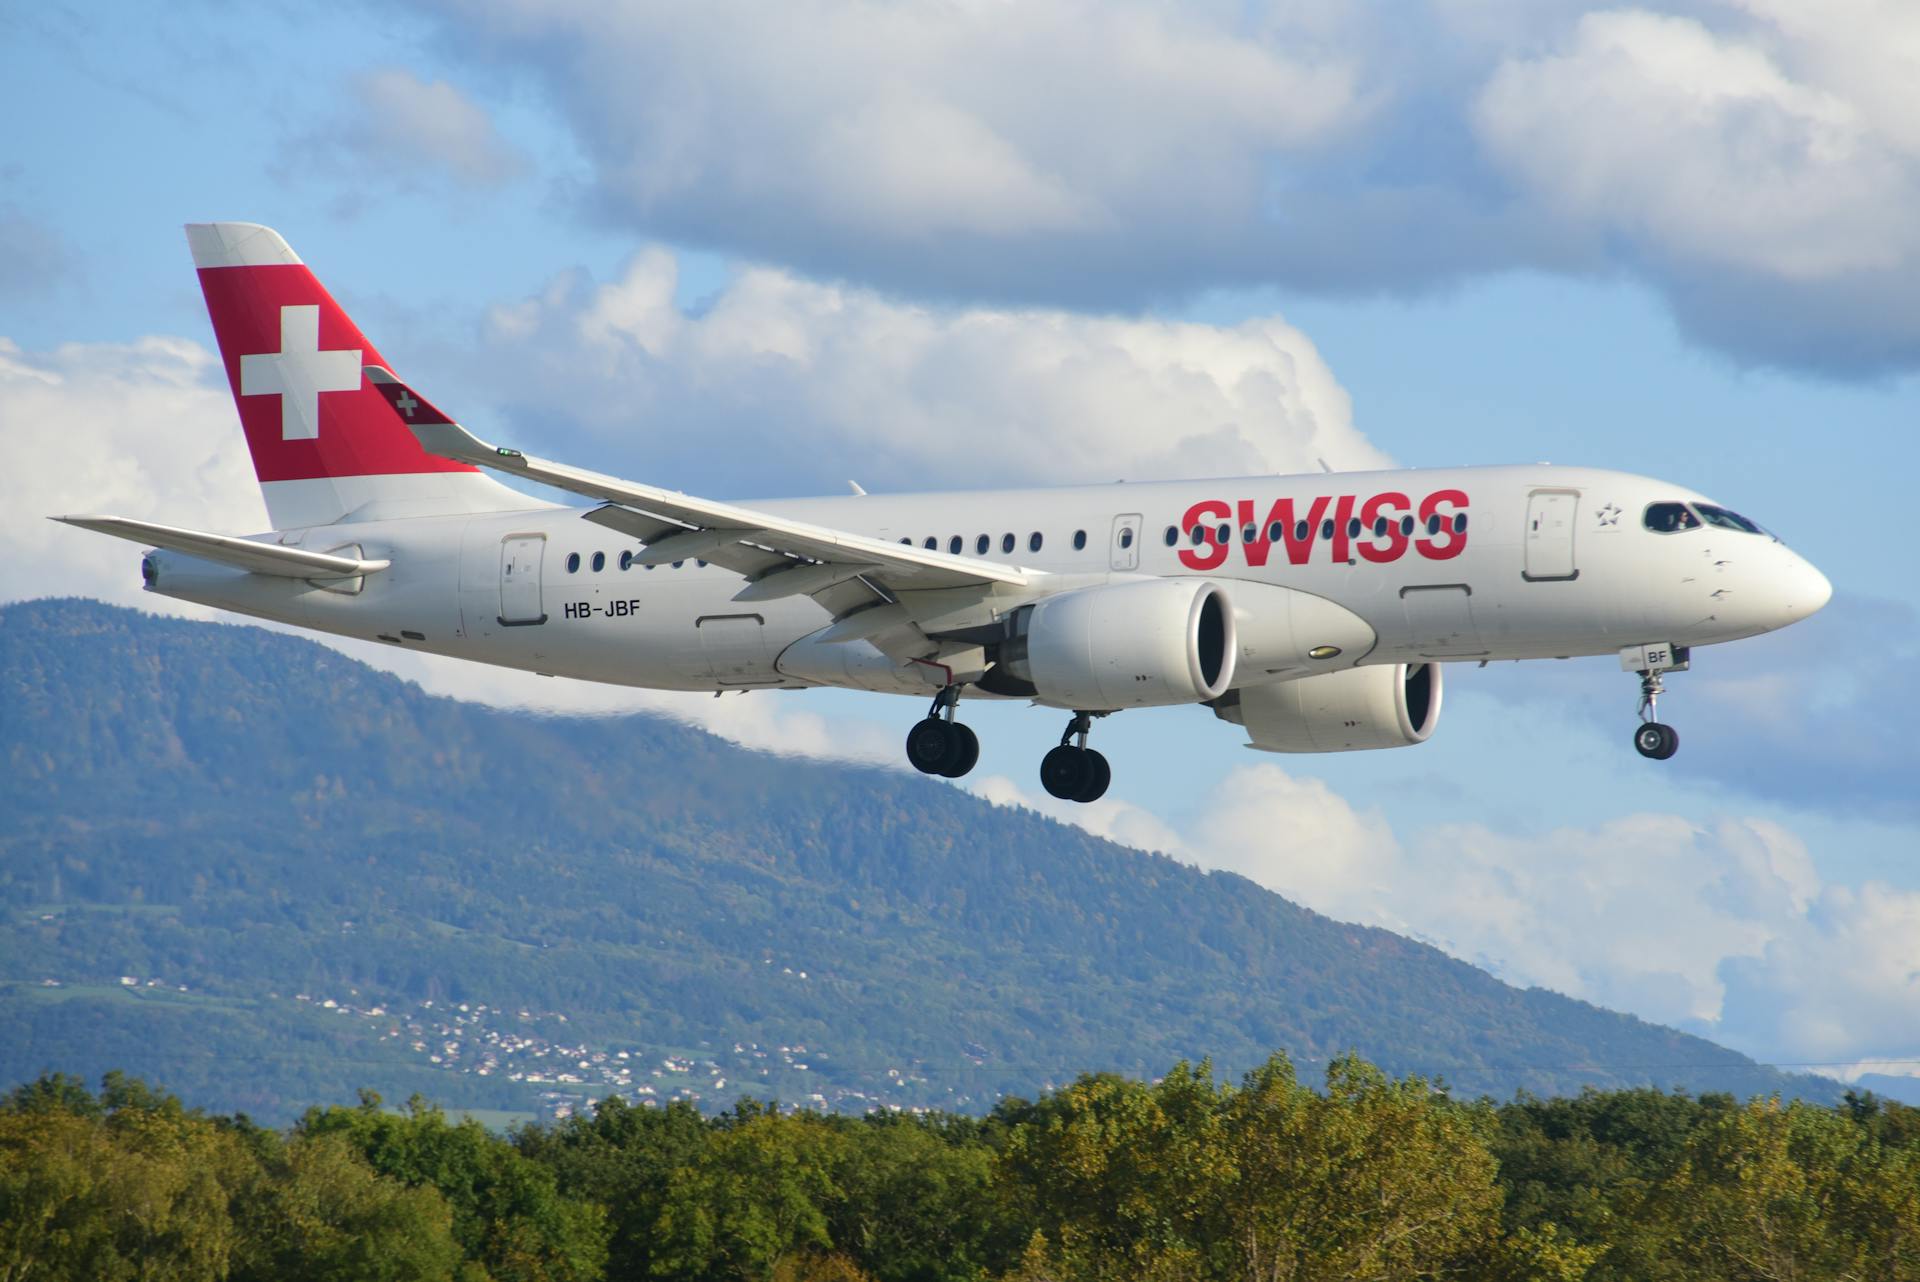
(1750, 158)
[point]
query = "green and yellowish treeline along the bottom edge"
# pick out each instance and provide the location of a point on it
(1182, 1179)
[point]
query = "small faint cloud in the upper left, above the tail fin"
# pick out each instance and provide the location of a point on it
(406, 135)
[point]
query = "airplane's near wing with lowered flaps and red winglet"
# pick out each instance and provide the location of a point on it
(865, 584)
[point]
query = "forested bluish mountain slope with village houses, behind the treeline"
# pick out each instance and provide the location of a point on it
(262, 874)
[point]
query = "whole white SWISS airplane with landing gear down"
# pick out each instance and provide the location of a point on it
(1312, 611)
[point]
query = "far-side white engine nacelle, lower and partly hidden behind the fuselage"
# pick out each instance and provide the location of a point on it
(1387, 707)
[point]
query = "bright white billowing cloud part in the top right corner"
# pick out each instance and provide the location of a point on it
(1708, 151)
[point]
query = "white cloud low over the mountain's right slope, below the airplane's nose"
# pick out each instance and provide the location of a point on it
(1721, 928)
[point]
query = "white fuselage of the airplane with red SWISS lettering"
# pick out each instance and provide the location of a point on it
(1550, 563)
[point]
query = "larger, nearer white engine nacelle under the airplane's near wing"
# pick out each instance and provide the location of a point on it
(1126, 646)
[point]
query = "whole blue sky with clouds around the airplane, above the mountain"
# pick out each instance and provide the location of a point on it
(790, 229)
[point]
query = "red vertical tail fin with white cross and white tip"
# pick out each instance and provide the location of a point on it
(295, 364)
